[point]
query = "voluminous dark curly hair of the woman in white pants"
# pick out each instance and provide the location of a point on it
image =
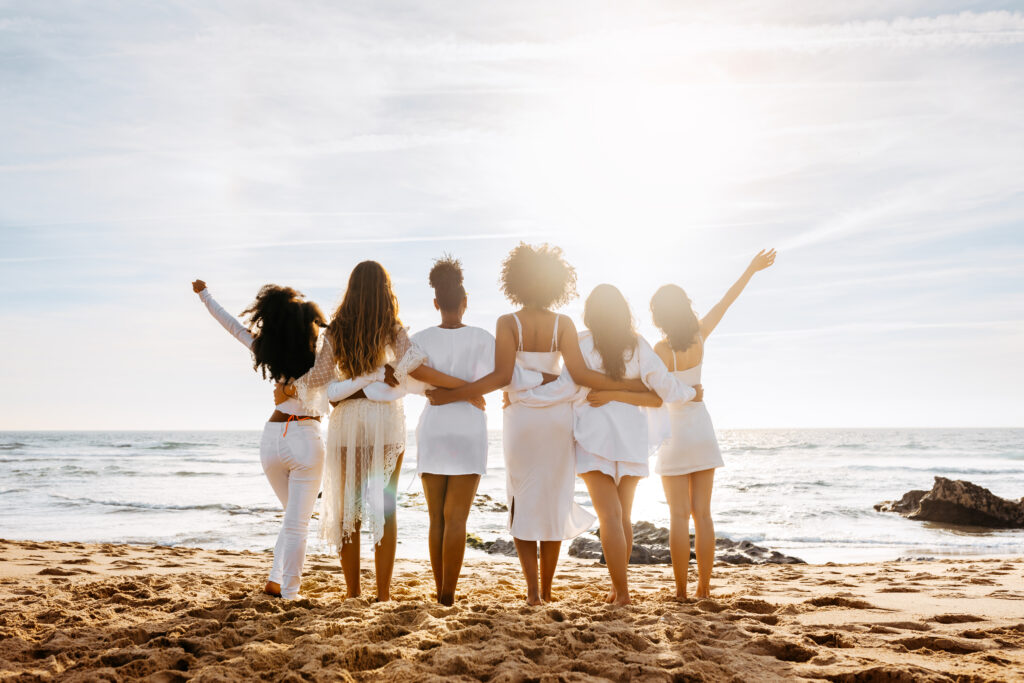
(285, 327)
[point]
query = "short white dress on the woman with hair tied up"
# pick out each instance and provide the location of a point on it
(453, 439)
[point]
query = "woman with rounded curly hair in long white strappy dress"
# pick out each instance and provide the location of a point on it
(538, 440)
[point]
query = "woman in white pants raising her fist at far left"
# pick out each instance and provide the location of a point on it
(282, 335)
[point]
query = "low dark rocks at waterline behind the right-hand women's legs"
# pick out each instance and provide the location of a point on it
(651, 546)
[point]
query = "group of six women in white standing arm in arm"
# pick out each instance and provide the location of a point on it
(573, 407)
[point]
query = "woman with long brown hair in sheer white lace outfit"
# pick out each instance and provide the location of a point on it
(366, 438)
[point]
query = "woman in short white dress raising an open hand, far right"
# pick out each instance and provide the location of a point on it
(688, 461)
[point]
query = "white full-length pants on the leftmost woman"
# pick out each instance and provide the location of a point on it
(293, 464)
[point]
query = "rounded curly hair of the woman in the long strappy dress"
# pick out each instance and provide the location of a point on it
(538, 276)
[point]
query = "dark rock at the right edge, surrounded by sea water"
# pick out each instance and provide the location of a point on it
(958, 502)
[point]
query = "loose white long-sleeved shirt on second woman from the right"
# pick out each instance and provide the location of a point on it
(616, 431)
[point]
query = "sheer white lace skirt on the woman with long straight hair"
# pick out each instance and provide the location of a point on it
(365, 440)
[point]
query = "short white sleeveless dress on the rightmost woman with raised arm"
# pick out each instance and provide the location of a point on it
(693, 446)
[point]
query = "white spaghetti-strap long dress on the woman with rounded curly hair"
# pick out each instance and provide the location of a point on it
(540, 460)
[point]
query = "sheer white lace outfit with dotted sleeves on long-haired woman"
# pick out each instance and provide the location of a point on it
(364, 442)
